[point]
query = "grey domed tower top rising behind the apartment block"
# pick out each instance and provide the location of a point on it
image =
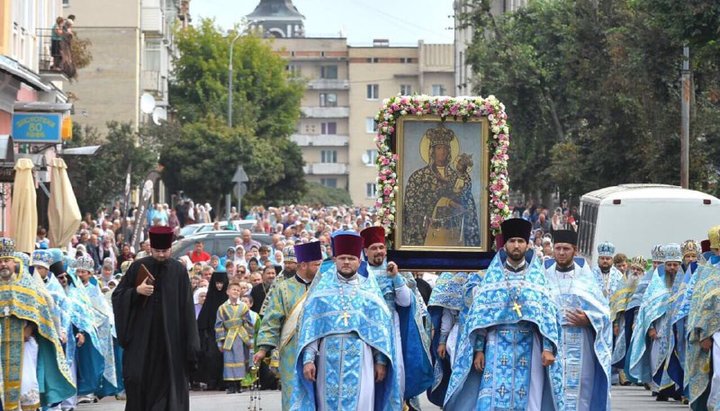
(277, 18)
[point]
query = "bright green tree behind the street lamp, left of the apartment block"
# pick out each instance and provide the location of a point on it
(201, 153)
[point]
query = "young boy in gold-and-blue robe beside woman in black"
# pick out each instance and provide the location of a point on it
(234, 332)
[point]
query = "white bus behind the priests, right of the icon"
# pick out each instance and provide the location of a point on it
(635, 217)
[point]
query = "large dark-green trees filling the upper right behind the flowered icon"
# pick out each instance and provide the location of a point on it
(592, 89)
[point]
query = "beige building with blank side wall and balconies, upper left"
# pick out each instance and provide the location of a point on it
(132, 50)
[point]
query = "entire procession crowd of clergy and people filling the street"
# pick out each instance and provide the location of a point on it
(323, 316)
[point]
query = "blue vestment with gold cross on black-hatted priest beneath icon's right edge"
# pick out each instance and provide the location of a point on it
(505, 383)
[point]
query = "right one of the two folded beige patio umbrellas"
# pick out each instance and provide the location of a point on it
(63, 211)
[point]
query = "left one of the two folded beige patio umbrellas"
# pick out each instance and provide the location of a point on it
(23, 220)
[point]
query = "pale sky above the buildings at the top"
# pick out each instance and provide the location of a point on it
(361, 21)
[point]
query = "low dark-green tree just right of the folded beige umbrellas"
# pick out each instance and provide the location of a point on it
(99, 179)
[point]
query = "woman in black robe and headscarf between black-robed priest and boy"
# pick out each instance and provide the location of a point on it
(210, 362)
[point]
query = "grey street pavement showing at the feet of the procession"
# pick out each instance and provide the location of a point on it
(623, 399)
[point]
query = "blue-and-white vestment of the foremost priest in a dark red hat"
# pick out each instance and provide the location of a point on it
(348, 319)
